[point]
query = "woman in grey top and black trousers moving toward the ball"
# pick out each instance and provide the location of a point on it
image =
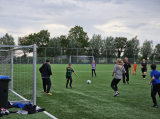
(118, 71)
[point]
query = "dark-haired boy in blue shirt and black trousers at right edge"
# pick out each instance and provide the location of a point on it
(155, 84)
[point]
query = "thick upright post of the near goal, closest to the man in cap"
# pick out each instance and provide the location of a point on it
(34, 73)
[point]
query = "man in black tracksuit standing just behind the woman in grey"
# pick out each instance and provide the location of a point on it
(127, 66)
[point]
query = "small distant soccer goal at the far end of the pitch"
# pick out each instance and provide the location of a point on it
(81, 59)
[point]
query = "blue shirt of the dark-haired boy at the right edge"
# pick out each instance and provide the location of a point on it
(156, 75)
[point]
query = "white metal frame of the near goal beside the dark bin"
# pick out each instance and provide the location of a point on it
(11, 63)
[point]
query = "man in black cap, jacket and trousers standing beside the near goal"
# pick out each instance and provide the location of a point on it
(45, 71)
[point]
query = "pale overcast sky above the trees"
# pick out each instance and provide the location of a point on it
(126, 18)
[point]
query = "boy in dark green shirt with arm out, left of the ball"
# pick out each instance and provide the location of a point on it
(69, 75)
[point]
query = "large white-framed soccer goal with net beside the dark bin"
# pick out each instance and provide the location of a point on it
(19, 63)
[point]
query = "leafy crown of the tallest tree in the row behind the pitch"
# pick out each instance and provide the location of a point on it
(79, 35)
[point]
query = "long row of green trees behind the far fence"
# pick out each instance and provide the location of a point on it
(109, 47)
